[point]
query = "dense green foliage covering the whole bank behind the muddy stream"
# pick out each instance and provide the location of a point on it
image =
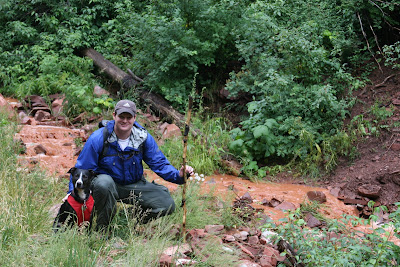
(293, 59)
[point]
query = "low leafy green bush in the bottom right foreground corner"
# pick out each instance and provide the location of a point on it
(337, 244)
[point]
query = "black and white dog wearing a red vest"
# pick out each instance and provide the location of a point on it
(78, 207)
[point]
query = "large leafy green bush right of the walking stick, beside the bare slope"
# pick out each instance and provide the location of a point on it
(294, 72)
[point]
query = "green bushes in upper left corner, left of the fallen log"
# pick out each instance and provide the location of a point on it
(37, 49)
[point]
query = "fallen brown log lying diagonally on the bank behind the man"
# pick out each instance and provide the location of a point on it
(127, 81)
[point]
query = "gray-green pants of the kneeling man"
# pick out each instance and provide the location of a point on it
(153, 198)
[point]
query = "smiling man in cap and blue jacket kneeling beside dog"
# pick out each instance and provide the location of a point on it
(118, 163)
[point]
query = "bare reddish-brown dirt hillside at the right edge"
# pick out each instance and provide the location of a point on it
(377, 164)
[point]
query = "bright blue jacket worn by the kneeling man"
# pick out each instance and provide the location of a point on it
(123, 168)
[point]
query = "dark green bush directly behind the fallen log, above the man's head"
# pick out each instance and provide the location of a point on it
(170, 41)
